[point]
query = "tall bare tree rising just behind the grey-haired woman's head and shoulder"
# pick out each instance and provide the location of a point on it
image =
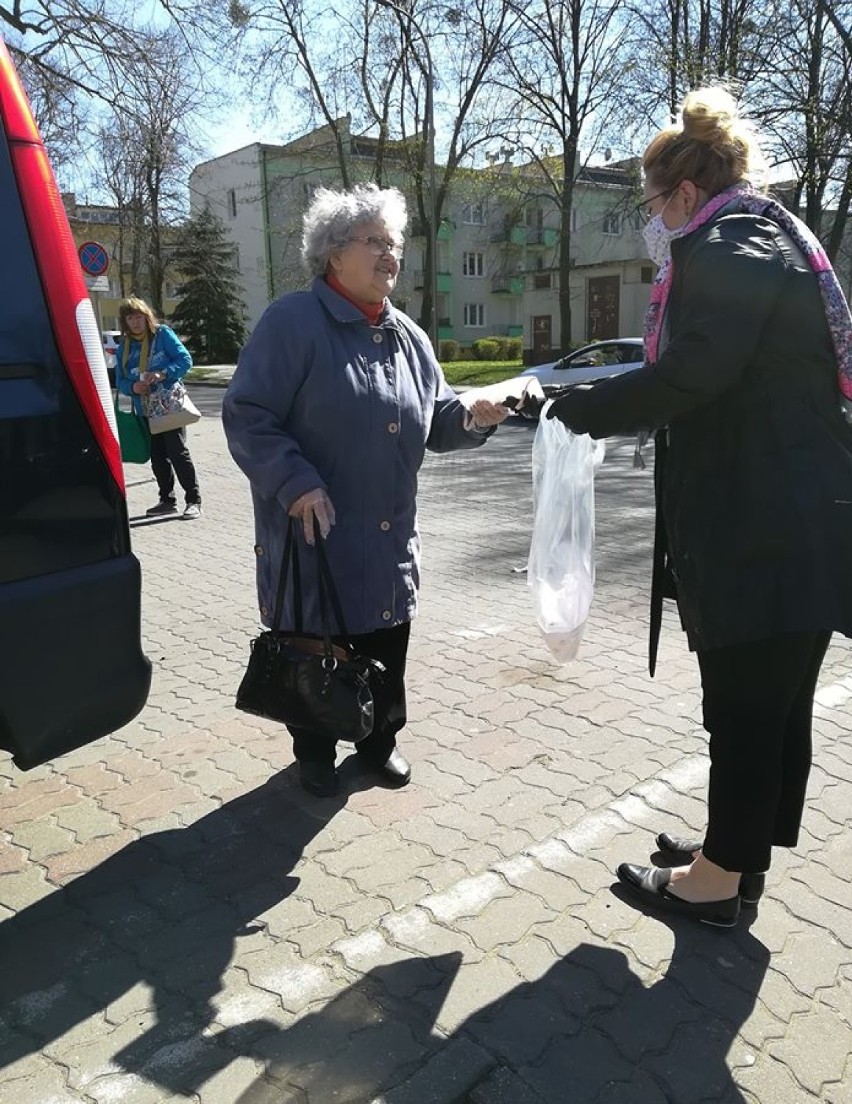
(363, 75)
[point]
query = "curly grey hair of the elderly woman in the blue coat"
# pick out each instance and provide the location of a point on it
(332, 218)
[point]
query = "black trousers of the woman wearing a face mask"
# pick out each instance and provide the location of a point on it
(759, 702)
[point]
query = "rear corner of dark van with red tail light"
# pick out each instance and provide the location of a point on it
(72, 667)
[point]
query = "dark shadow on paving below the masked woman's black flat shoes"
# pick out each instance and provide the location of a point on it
(589, 1029)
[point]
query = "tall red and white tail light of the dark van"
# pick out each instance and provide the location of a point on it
(74, 326)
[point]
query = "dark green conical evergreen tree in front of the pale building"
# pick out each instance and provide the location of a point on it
(210, 316)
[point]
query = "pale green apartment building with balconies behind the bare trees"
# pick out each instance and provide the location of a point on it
(497, 245)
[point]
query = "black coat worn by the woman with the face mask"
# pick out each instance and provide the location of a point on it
(757, 490)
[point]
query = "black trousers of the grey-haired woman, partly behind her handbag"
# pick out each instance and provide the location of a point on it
(390, 646)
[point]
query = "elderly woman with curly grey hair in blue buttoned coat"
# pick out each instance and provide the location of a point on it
(335, 401)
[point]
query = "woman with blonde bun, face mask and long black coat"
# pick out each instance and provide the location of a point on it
(749, 347)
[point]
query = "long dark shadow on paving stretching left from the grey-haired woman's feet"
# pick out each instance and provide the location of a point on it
(166, 910)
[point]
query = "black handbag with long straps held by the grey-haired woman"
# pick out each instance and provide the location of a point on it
(304, 682)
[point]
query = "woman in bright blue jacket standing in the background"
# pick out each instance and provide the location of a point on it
(152, 357)
